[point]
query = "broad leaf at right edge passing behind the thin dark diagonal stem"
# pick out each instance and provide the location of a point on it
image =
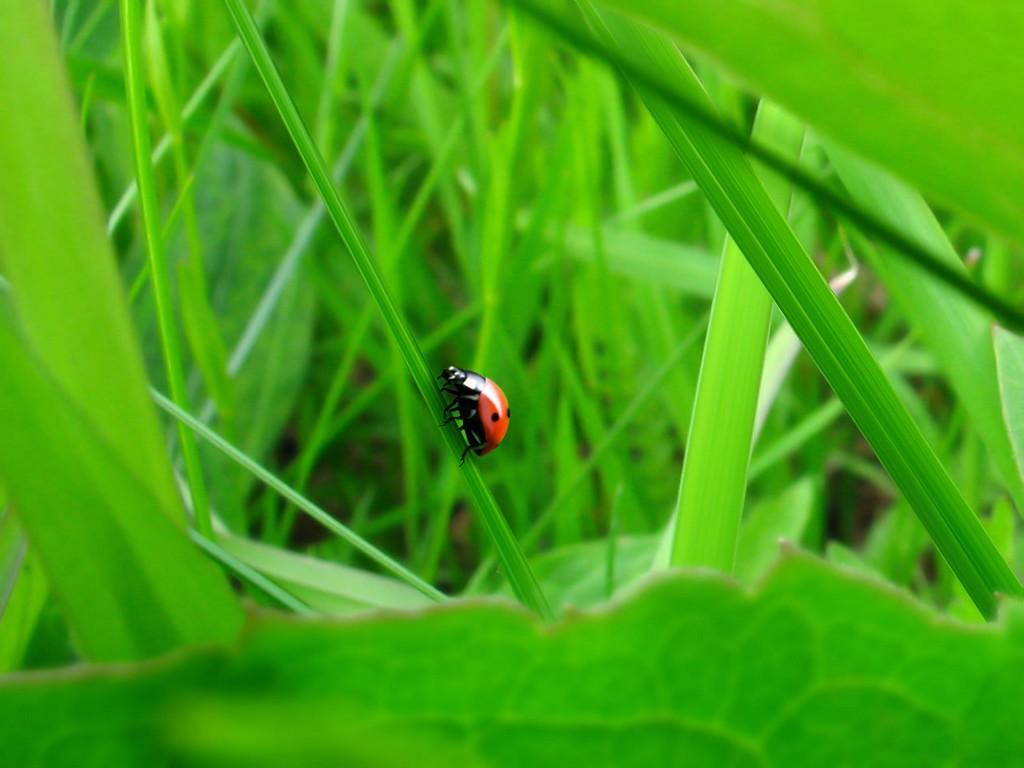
(956, 331)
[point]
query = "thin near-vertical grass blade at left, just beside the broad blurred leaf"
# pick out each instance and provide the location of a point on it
(159, 269)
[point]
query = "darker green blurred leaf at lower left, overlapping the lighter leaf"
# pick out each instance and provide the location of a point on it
(131, 583)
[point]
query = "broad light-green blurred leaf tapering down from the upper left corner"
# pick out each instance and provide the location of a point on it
(55, 253)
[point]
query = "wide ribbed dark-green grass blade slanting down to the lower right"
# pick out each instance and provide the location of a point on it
(826, 330)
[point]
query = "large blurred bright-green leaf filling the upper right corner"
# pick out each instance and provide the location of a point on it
(930, 91)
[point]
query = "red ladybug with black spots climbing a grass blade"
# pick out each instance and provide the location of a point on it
(481, 407)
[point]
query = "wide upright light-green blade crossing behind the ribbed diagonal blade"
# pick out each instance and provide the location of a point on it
(718, 448)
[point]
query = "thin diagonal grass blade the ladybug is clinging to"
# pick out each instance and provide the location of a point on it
(510, 554)
